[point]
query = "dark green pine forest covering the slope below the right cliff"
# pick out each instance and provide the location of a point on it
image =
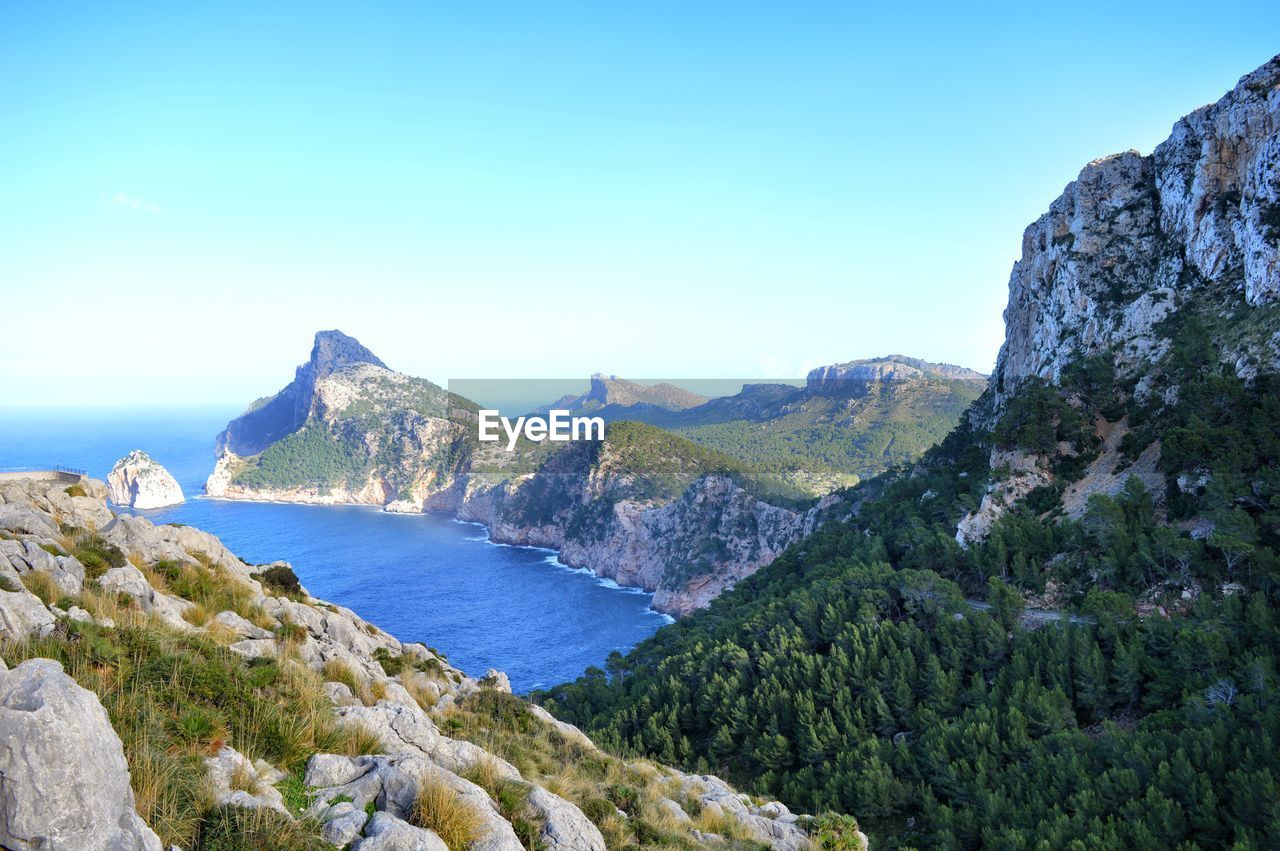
(852, 674)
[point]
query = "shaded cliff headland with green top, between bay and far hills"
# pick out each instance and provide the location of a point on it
(650, 510)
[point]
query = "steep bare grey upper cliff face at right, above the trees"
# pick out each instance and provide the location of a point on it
(1135, 237)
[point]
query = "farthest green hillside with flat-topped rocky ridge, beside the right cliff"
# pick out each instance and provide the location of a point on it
(849, 422)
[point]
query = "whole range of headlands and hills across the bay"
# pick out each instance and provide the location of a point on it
(684, 497)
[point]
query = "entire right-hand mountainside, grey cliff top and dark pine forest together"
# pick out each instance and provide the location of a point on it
(1060, 628)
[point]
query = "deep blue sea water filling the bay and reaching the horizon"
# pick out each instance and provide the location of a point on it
(422, 578)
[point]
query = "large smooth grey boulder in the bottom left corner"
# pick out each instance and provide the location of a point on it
(66, 780)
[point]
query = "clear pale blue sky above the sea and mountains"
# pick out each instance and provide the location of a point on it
(547, 190)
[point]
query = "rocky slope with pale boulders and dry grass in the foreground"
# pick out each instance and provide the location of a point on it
(162, 693)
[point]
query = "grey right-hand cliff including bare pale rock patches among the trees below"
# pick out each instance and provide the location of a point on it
(1135, 249)
